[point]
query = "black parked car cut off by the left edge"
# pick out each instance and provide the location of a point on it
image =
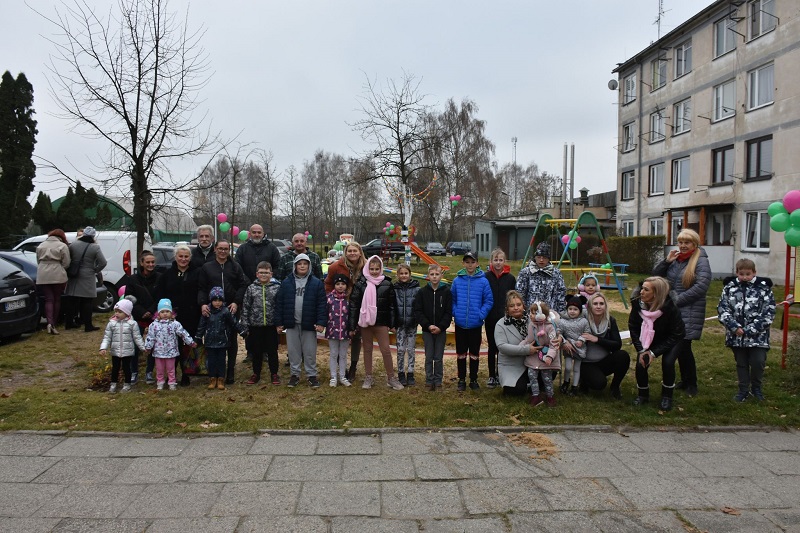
(19, 306)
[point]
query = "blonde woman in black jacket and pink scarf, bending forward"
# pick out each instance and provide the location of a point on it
(656, 330)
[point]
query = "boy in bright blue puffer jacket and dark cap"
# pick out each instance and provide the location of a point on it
(472, 301)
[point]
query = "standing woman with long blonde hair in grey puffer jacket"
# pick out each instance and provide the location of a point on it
(689, 274)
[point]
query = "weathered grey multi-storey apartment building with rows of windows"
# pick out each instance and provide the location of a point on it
(709, 131)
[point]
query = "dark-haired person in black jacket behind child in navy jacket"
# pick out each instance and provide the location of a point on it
(225, 273)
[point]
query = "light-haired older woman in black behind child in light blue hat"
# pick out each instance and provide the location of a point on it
(180, 284)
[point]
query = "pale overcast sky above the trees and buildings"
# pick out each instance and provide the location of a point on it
(287, 74)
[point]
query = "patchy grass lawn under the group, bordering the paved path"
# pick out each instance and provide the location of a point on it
(58, 383)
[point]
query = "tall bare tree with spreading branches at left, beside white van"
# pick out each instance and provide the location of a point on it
(132, 79)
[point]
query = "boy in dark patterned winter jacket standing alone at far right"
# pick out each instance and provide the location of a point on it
(746, 309)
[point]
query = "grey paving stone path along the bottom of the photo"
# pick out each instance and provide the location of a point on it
(587, 479)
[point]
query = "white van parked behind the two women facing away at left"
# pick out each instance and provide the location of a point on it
(119, 249)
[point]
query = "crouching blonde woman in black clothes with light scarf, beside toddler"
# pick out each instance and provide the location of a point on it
(604, 355)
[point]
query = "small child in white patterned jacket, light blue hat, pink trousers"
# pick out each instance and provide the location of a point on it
(162, 342)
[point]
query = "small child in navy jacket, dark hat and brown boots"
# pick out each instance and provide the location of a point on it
(216, 330)
